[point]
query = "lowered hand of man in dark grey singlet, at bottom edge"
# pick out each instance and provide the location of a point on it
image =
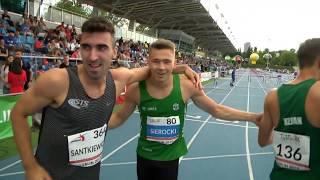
(37, 173)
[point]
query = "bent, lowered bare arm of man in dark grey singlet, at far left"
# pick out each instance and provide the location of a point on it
(33, 100)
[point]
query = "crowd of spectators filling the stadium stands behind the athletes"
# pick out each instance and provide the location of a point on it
(31, 37)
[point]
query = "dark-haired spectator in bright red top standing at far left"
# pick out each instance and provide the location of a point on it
(16, 77)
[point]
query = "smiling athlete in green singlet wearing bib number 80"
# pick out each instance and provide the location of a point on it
(162, 101)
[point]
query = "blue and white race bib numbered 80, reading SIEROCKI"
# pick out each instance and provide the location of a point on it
(164, 130)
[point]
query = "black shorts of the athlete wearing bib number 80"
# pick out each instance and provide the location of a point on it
(157, 170)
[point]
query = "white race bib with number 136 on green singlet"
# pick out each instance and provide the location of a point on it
(292, 150)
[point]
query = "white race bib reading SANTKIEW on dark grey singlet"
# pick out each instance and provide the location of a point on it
(85, 148)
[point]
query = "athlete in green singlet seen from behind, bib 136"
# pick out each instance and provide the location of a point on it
(291, 120)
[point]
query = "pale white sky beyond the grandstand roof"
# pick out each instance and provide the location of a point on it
(272, 24)
